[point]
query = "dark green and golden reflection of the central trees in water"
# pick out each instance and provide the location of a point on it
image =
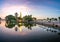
(19, 25)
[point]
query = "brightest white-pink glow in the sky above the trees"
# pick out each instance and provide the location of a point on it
(12, 9)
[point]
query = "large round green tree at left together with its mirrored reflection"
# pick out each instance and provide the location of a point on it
(10, 21)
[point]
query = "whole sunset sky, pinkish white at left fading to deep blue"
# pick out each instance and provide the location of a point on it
(38, 8)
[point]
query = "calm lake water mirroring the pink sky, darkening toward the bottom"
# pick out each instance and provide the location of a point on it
(28, 33)
